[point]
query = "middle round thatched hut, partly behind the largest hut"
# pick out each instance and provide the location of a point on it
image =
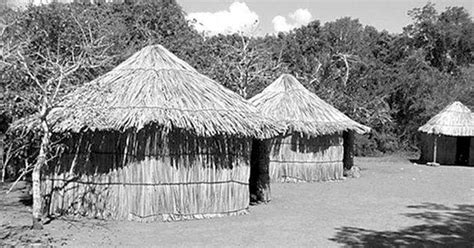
(312, 146)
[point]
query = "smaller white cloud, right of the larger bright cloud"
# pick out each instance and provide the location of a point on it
(296, 19)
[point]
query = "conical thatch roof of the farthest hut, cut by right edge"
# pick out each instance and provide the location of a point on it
(454, 120)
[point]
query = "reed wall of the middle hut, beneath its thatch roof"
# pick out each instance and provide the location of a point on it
(296, 158)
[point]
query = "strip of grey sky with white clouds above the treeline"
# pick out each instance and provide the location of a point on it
(259, 17)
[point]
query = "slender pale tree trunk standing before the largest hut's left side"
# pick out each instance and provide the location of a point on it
(36, 175)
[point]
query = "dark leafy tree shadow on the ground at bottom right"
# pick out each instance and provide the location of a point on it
(444, 226)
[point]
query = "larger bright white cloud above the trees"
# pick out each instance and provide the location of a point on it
(239, 18)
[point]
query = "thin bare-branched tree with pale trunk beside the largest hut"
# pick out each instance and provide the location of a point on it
(51, 49)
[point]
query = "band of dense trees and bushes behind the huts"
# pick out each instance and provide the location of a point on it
(390, 82)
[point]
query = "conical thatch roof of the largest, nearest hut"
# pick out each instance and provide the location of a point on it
(154, 86)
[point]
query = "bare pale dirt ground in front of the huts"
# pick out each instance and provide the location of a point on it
(394, 203)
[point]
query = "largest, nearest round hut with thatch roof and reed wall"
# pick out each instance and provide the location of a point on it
(152, 139)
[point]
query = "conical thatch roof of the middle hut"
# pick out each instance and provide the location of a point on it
(289, 102)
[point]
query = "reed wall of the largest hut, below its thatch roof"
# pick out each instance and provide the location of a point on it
(147, 176)
